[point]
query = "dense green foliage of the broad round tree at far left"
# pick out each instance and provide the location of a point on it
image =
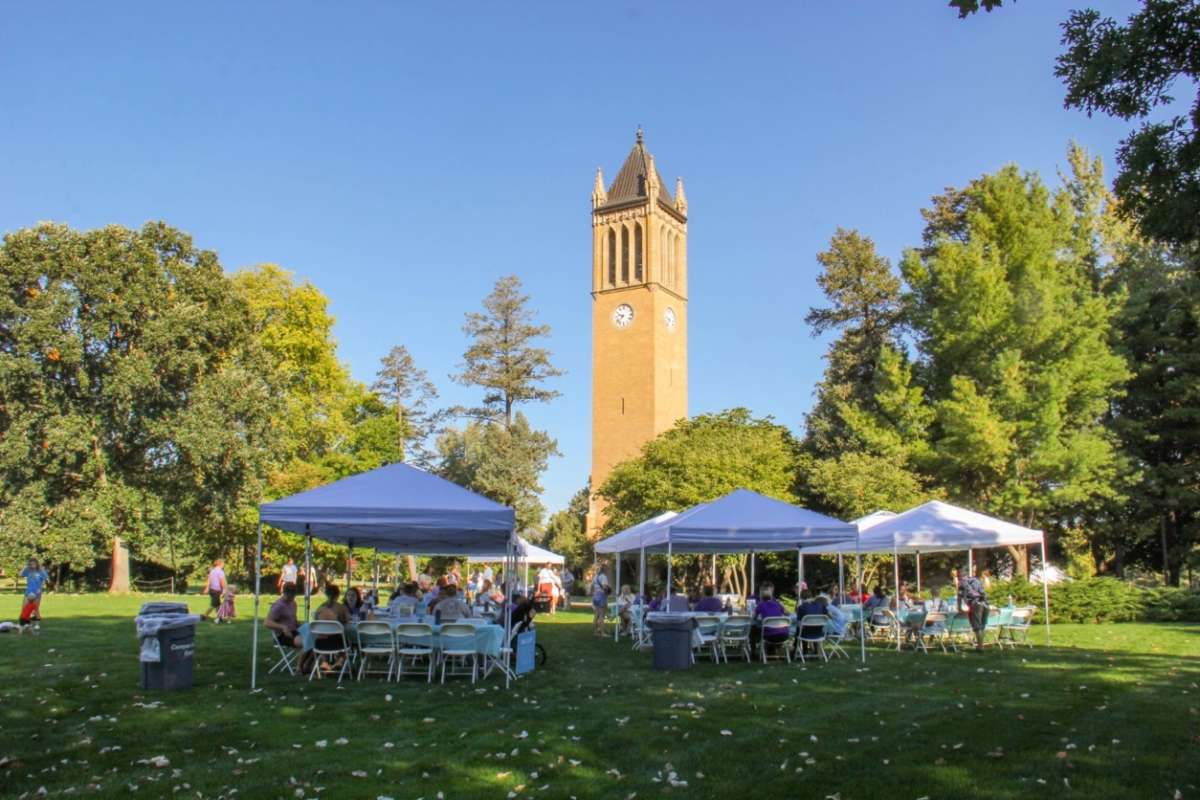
(133, 395)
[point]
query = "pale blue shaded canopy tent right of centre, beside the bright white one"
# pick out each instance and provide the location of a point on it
(740, 522)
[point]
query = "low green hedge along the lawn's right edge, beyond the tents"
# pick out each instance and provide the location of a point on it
(1102, 600)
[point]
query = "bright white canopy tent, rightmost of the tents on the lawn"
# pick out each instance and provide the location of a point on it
(938, 527)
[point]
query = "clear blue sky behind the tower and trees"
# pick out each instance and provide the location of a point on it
(403, 157)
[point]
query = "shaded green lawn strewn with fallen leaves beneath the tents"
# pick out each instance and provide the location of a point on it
(1108, 712)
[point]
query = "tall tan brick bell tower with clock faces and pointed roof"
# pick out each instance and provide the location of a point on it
(639, 315)
